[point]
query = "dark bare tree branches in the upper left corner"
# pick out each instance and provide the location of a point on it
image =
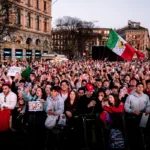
(6, 20)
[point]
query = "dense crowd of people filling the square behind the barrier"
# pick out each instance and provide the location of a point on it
(55, 102)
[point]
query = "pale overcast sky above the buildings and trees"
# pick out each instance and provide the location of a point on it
(105, 13)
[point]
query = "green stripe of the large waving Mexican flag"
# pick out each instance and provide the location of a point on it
(112, 40)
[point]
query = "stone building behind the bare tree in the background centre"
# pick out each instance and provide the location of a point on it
(99, 38)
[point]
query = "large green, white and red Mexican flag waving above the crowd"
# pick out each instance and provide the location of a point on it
(119, 46)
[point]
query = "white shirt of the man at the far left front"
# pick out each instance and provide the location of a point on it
(11, 100)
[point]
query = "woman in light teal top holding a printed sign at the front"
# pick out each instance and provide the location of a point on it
(36, 117)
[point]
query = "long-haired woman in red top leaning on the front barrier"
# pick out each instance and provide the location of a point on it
(115, 109)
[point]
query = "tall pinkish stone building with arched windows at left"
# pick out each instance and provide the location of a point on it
(32, 37)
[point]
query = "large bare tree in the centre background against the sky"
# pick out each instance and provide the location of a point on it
(75, 34)
